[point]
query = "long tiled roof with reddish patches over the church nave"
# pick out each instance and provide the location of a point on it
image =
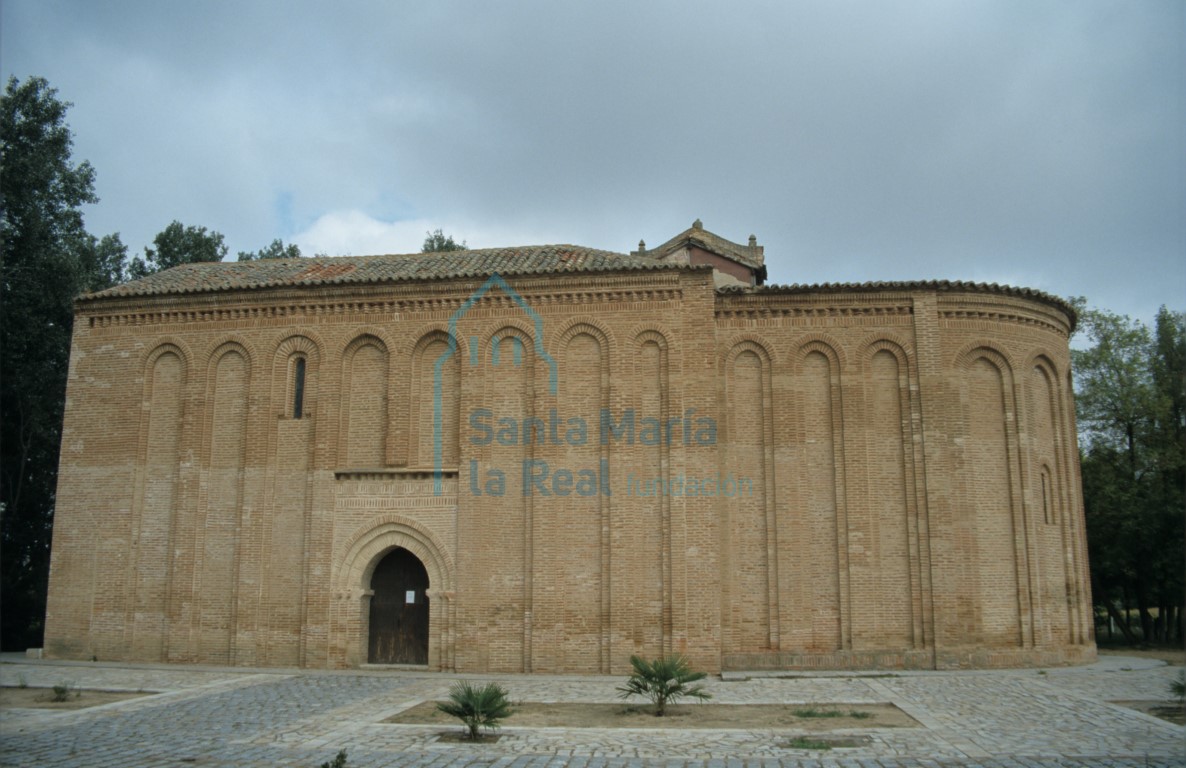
(271, 273)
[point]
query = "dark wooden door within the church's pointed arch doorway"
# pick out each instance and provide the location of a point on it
(399, 611)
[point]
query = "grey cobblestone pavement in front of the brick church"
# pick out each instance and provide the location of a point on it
(211, 716)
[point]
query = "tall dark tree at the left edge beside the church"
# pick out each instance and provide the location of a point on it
(48, 260)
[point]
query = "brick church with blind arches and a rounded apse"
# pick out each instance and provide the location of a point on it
(547, 459)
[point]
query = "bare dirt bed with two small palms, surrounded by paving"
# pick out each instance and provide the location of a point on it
(724, 716)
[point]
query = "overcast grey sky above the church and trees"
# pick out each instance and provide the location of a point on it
(1034, 144)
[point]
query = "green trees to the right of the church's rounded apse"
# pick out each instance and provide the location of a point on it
(1130, 404)
